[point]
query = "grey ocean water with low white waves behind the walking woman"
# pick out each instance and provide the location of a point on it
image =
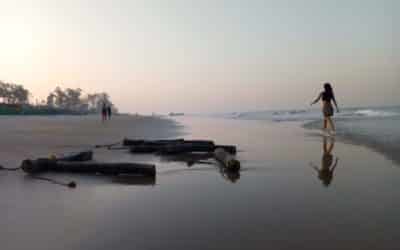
(375, 127)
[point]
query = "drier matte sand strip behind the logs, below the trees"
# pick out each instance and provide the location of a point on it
(35, 136)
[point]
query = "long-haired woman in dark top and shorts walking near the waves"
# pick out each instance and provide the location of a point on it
(327, 96)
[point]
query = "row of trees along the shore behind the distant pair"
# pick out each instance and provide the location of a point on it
(67, 100)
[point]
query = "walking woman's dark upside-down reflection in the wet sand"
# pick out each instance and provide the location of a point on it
(328, 164)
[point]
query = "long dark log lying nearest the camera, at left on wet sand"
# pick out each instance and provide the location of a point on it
(45, 165)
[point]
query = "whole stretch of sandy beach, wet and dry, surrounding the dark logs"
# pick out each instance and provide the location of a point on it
(278, 201)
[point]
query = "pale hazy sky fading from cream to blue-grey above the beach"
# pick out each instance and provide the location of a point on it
(205, 56)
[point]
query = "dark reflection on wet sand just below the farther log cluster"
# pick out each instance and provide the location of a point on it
(190, 159)
